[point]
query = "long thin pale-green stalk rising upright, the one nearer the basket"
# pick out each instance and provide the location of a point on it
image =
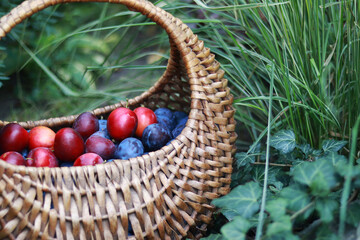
(263, 200)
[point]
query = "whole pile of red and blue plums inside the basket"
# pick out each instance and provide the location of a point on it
(125, 134)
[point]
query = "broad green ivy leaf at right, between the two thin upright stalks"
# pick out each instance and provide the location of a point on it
(318, 175)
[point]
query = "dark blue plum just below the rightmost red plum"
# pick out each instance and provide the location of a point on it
(155, 136)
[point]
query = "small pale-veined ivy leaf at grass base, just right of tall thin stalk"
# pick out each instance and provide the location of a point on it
(284, 141)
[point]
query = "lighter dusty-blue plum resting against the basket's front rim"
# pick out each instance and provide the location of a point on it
(129, 148)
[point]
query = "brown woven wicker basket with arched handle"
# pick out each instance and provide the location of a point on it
(164, 194)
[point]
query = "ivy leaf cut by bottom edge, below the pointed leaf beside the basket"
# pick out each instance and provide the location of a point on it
(236, 229)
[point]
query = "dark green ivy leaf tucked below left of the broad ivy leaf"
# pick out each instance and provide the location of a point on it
(296, 198)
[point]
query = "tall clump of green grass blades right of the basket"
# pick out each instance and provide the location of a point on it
(314, 46)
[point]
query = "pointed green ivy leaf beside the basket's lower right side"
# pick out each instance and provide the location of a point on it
(242, 200)
